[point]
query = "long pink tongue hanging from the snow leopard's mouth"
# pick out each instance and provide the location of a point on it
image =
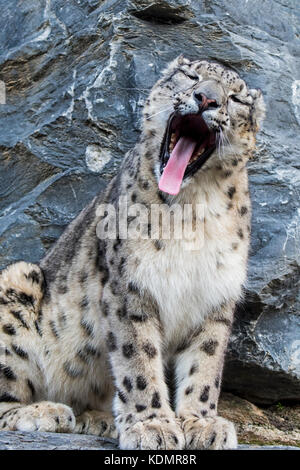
(171, 179)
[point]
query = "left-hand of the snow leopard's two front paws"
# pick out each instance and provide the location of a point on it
(153, 434)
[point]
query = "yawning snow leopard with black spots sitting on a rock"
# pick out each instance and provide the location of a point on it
(89, 337)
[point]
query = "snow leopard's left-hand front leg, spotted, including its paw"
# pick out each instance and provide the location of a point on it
(143, 416)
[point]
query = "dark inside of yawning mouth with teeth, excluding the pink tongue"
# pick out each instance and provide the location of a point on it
(193, 128)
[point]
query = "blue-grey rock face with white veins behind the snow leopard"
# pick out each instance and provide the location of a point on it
(76, 76)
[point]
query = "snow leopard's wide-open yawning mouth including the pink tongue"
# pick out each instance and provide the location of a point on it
(187, 145)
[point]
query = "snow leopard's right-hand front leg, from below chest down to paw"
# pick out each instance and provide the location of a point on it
(199, 370)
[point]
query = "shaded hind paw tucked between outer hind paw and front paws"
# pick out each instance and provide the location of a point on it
(97, 423)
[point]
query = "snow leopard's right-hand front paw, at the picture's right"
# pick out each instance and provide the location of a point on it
(213, 433)
